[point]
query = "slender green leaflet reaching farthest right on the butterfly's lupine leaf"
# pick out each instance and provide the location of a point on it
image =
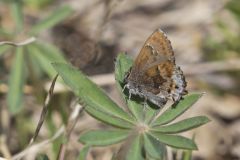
(183, 125)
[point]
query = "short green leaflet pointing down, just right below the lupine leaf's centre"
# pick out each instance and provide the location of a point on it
(154, 148)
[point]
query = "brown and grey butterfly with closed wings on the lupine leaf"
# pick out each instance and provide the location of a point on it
(154, 75)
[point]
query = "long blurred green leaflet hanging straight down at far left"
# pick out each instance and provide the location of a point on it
(16, 82)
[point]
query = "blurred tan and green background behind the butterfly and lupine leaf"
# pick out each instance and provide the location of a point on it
(205, 35)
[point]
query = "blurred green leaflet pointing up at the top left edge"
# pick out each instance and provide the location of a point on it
(17, 13)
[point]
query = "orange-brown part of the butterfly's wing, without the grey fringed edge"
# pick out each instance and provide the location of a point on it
(155, 64)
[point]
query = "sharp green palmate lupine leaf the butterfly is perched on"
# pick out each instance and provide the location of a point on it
(156, 136)
